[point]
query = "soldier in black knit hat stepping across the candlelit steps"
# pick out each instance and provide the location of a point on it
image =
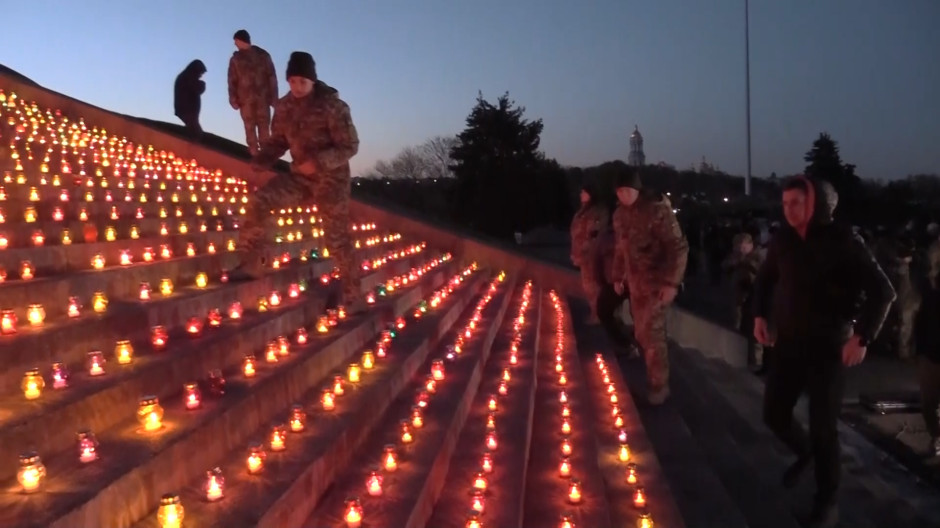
(315, 125)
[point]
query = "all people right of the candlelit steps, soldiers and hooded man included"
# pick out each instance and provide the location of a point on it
(808, 290)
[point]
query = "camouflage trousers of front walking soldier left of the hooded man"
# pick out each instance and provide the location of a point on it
(649, 327)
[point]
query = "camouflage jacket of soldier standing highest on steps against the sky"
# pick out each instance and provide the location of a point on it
(251, 79)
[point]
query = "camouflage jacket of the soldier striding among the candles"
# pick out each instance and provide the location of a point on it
(315, 128)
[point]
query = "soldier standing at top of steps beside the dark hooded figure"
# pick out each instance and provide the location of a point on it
(252, 89)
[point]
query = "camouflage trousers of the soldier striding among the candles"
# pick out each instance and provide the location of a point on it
(332, 200)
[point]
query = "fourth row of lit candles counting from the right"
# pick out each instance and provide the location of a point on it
(353, 510)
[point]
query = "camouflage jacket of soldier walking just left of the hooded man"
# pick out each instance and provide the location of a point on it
(650, 249)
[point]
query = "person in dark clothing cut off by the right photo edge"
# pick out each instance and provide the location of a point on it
(927, 346)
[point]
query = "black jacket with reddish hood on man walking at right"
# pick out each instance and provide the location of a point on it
(821, 286)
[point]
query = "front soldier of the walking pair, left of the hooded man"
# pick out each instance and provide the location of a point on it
(650, 260)
